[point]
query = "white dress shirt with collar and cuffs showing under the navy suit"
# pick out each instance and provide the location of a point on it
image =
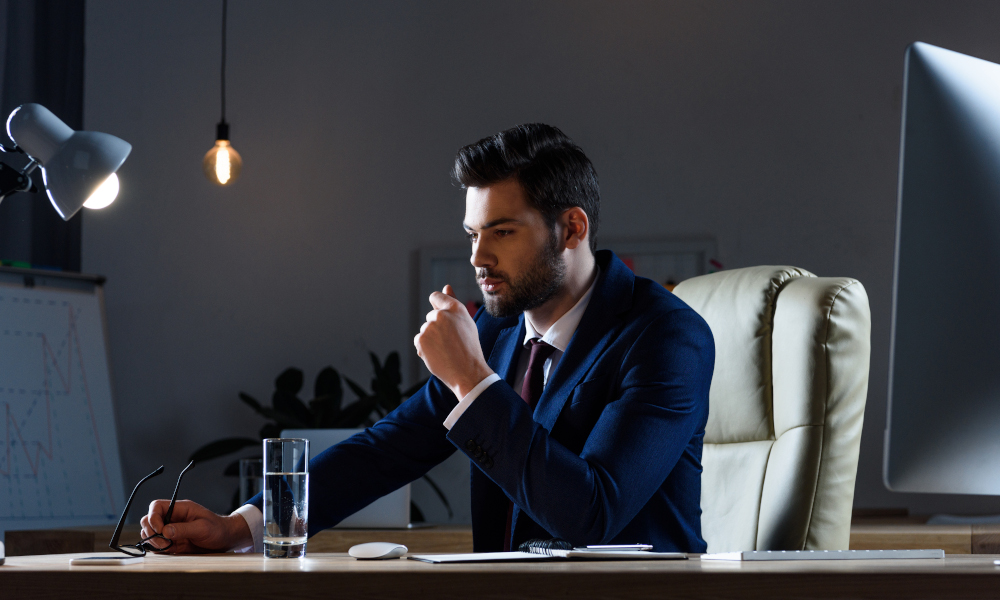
(558, 336)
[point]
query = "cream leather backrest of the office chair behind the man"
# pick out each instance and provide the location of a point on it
(785, 409)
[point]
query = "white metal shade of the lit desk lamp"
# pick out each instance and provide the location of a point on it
(74, 163)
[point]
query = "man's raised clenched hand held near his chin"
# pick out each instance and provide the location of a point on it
(449, 344)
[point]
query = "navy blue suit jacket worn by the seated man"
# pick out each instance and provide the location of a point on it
(611, 454)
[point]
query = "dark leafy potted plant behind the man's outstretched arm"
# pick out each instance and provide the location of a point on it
(324, 411)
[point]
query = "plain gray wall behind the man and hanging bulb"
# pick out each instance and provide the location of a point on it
(772, 126)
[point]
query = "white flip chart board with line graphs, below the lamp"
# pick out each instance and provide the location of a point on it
(59, 462)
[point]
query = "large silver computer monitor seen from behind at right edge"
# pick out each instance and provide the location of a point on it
(943, 427)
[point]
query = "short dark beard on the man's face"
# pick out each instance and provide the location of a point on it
(539, 282)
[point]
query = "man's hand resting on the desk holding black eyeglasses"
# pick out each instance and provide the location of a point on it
(195, 529)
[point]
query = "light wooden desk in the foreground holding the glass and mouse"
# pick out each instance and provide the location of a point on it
(331, 576)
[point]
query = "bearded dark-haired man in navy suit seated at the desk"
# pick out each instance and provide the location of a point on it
(579, 391)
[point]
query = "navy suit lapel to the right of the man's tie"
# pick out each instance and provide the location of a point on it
(599, 325)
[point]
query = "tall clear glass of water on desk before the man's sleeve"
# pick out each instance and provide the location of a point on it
(286, 497)
